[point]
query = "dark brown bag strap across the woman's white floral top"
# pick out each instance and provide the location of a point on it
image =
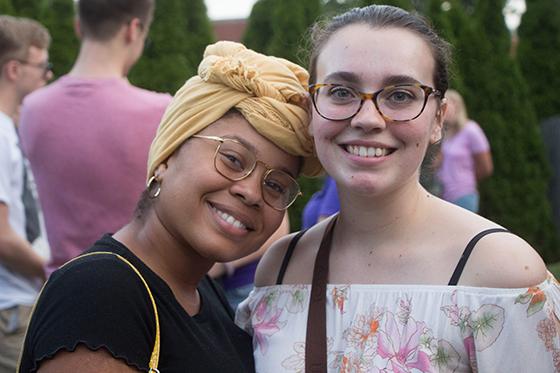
(316, 338)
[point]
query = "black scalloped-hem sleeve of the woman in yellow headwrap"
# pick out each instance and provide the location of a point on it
(96, 301)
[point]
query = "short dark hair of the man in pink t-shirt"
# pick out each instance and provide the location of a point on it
(102, 19)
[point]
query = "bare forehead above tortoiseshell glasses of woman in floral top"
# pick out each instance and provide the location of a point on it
(376, 55)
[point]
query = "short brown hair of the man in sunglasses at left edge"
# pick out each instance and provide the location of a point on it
(17, 35)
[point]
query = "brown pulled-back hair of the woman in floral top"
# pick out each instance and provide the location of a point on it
(383, 16)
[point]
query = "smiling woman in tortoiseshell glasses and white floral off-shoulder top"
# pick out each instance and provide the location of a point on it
(411, 283)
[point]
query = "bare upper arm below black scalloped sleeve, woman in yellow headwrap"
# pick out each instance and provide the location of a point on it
(85, 360)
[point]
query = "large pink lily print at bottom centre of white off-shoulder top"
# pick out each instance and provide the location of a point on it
(400, 343)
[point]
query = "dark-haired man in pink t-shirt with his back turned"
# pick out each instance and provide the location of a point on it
(87, 135)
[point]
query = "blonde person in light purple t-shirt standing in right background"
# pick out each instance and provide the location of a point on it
(466, 157)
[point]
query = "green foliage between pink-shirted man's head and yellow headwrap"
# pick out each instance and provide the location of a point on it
(178, 35)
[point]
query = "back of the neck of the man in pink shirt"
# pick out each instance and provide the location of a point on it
(101, 60)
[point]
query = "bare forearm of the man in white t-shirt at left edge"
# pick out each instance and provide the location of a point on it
(15, 252)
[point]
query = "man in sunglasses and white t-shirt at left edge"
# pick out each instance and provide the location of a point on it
(24, 67)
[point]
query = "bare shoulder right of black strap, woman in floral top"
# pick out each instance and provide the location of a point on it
(504, 260)
